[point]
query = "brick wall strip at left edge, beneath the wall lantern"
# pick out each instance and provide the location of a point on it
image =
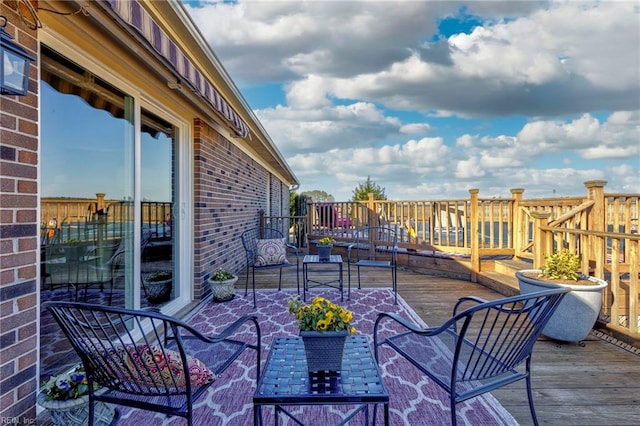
(19, 237)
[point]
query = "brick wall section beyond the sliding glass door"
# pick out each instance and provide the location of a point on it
(229, 192)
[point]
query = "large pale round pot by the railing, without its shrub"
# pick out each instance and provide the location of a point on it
(574, 318)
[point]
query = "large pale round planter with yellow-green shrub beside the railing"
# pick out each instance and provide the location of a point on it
(577, 313)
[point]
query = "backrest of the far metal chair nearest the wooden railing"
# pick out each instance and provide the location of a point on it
(376, 243)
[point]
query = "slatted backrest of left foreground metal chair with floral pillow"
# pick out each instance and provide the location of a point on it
(126, 350)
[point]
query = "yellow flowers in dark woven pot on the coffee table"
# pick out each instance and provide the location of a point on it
(324, 327)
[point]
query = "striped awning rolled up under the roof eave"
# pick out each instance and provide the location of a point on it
(133, 14)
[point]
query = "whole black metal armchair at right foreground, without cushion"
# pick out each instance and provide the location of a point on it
(490, 344)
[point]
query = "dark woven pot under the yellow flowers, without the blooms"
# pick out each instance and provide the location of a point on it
(324, 349)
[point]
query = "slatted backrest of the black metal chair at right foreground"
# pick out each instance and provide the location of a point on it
(497, 336)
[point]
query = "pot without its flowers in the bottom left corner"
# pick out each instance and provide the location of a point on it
(75, 412)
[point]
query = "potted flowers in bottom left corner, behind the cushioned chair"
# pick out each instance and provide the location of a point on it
(66, 396)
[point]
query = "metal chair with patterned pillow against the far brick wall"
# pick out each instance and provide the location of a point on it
(255, 260)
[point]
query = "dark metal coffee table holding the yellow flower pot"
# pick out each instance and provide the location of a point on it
(285, 381)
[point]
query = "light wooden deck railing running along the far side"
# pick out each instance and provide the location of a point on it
(602, 228)
